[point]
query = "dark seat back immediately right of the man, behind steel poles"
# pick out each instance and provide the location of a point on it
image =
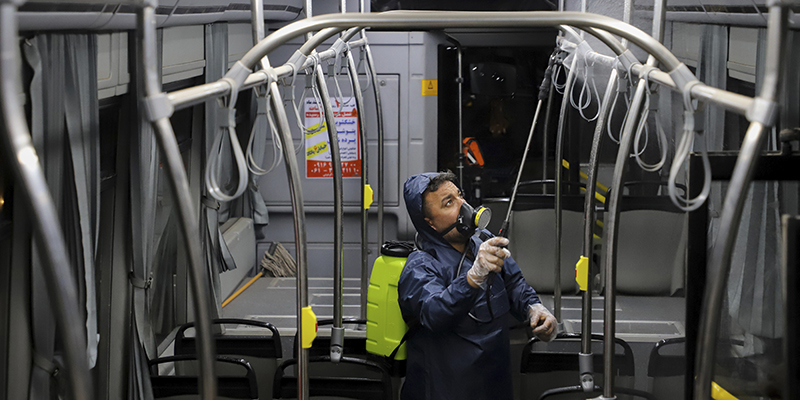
(547, 366)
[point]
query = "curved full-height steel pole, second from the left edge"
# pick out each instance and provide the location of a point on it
(159, 109)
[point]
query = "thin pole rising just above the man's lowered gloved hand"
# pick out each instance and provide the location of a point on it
(559, 155)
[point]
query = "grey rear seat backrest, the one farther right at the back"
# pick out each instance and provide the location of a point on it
(650, 252)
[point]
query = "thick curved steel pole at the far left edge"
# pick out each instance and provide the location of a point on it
(28, 174)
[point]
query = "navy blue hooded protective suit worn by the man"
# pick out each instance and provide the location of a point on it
(460, 350)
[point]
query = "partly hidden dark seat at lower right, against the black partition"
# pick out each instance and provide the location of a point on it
(666, 369)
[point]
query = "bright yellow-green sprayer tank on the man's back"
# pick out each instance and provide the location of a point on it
(385, 325)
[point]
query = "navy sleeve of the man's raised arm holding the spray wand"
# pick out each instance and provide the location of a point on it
(422, 293)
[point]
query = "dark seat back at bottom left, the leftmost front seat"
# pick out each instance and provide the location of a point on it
(229, 385)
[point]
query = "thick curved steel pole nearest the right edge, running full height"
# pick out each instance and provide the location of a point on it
(762, 117)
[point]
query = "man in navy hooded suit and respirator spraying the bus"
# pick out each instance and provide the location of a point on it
(460, 345)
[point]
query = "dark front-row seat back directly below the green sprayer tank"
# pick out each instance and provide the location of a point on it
(372, 382)
